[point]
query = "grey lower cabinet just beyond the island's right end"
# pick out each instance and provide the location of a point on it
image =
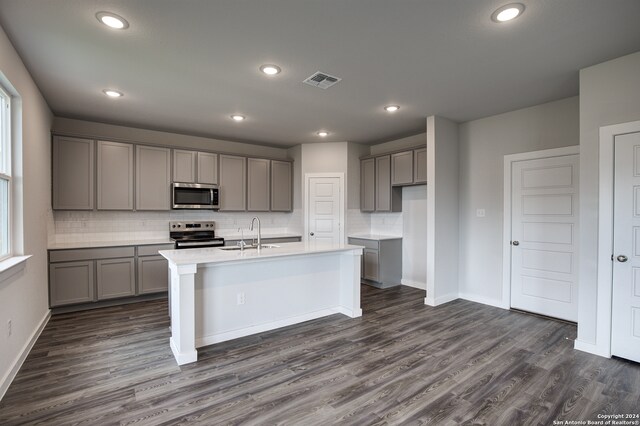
(381, 261)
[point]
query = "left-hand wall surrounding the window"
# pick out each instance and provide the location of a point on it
(24, 297)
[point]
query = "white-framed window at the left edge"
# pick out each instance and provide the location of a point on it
(5, 165)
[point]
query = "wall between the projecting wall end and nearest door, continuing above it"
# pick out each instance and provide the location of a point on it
(483, 145)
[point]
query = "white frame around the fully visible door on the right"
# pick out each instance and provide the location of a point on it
(506, 233)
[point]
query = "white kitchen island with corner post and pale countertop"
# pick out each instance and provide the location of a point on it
(218, 294)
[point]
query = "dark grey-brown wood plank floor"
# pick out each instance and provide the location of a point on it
(401, 363)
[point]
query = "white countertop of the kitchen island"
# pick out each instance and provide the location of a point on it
(218, 255)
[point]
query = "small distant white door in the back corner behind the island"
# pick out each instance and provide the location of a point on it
(324, 209)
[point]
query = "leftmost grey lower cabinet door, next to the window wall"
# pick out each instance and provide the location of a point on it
(70, 282)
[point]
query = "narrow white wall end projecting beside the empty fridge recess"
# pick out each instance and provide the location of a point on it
(442, 211)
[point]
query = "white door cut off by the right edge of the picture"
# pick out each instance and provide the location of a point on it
(625, 321)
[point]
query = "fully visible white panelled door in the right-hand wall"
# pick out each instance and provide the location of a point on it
(544, 230)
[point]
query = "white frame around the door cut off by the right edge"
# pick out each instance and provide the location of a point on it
(604, 287)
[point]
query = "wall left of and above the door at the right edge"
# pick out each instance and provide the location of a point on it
(609, 94)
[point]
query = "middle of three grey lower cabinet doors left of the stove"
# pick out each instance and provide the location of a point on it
(115, 278)
